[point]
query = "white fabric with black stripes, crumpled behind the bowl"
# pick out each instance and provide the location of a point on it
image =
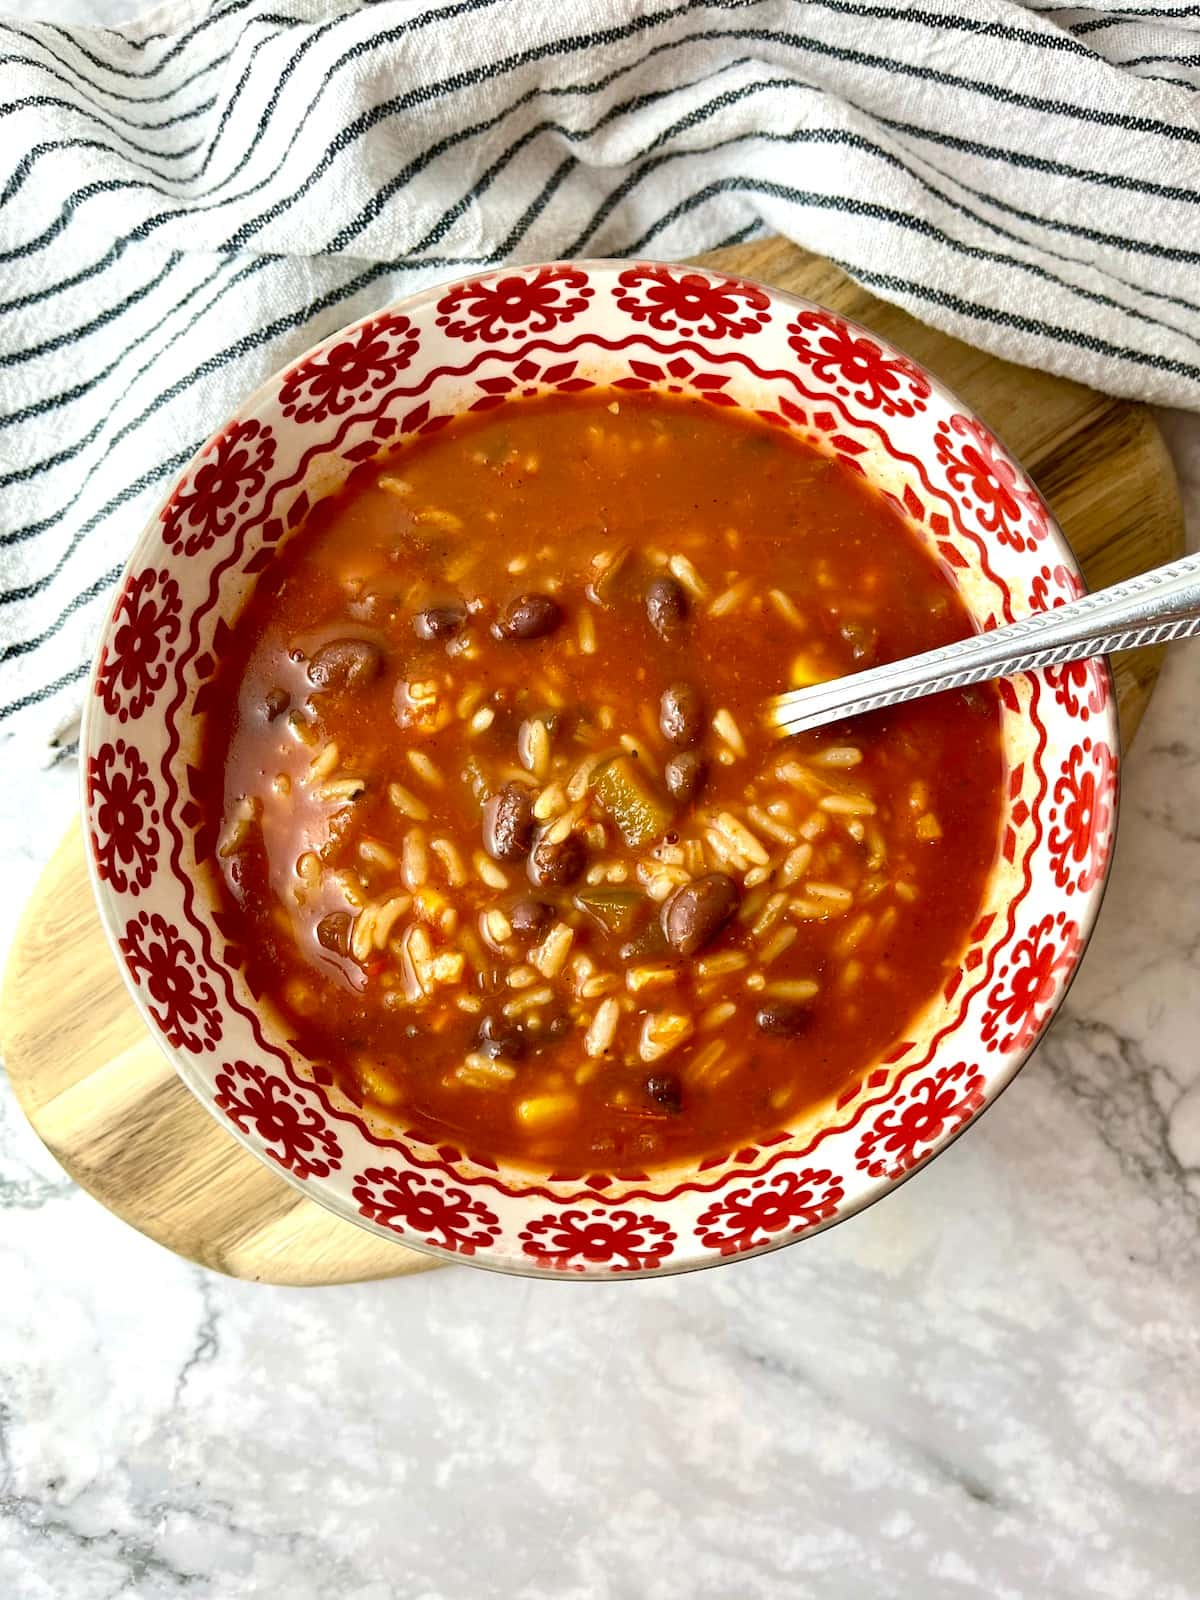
(191, 199)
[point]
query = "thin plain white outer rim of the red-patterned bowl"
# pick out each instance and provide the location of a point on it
(874, 1190)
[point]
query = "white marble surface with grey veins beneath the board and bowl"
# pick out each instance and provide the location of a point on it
(990, 1386)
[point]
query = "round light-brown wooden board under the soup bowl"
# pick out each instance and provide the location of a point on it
(108, 1105)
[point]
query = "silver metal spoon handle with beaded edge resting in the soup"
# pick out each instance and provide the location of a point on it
(1148, 610)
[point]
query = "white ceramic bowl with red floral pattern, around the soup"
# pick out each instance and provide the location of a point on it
(406, 372)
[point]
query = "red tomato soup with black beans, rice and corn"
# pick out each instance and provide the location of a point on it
(511, 849)
